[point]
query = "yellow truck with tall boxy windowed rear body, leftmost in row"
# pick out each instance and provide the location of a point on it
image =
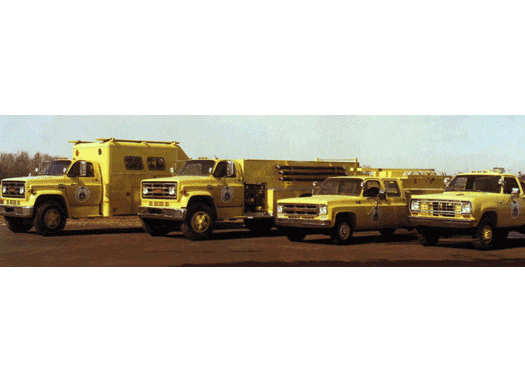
(101, 180)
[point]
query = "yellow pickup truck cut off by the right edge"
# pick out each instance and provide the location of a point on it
(485, 204)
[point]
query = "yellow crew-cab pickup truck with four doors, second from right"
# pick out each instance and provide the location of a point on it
(343, 205)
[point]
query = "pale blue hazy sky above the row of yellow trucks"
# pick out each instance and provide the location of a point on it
(446, 143)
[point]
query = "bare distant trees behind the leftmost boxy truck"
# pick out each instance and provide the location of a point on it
(21, 163)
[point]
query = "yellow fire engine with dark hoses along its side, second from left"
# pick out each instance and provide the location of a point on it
(209, 190)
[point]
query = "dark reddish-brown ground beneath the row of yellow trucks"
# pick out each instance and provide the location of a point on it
(122, 242)
